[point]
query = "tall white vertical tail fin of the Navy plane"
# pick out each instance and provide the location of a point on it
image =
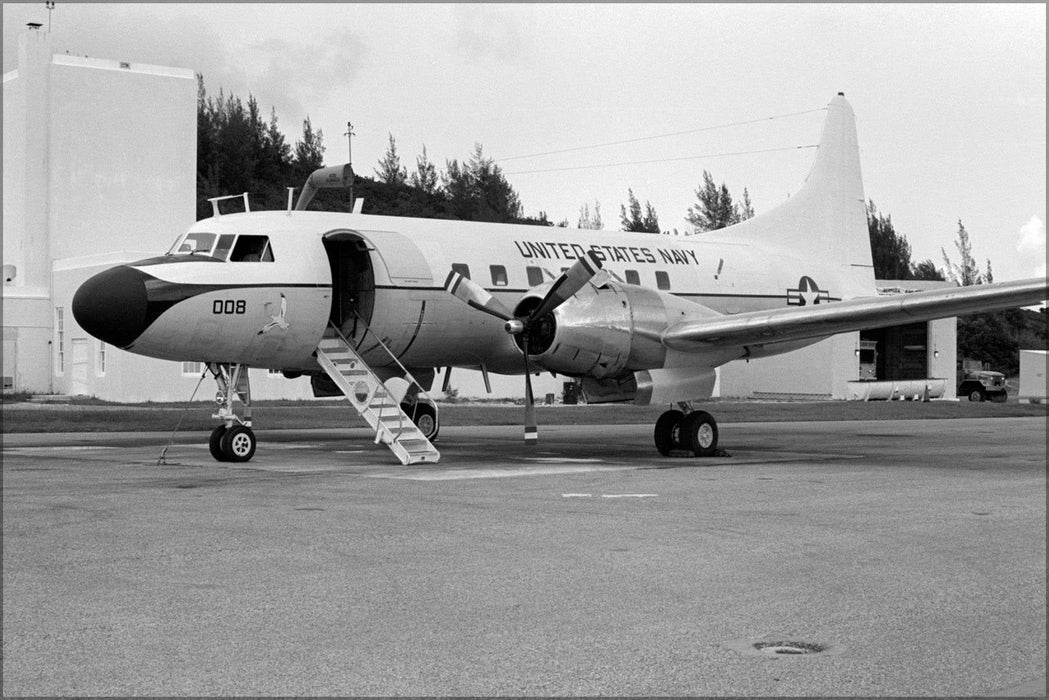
(826, 221)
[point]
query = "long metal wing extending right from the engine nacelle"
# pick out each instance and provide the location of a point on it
(806, 323)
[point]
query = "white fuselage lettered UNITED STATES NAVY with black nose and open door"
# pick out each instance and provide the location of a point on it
(261, 288)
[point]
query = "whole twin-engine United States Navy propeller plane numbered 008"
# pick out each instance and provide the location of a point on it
(369, 307)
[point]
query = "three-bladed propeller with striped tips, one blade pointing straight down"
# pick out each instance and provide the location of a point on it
(564, 289)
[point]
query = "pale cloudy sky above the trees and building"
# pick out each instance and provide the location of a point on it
(950, 99)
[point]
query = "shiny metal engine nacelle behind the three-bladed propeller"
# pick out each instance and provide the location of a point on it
(605, 331)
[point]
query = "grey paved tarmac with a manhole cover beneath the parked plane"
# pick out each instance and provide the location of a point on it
(906, 559)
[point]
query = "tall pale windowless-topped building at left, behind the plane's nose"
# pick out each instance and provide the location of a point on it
(99, 168)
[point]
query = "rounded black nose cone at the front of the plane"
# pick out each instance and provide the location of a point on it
(112, 306)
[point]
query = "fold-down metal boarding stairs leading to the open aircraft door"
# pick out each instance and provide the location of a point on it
(375, 401)
